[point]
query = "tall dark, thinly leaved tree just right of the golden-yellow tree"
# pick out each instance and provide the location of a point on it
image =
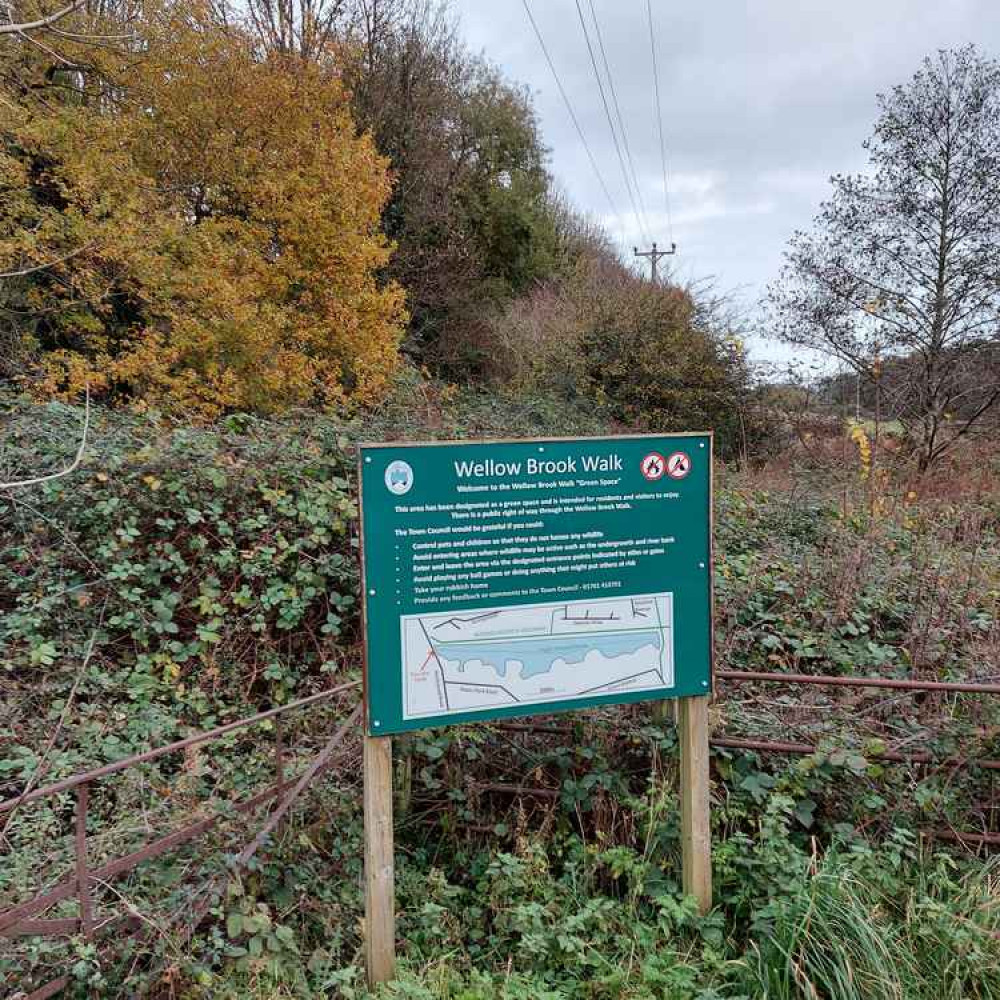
(472, 212)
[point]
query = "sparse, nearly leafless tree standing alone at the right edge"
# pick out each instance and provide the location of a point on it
(903, 262)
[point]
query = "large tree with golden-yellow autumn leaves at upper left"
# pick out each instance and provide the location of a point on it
(222, 221)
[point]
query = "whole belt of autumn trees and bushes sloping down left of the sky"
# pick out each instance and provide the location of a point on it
(234, 213)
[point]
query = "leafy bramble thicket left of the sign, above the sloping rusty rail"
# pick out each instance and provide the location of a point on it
(210, 568)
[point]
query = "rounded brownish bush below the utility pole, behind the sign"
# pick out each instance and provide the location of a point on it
(648, 357)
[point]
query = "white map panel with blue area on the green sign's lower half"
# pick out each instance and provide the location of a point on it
(502, 657)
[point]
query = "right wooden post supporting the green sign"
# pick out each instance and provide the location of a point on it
(696, 830)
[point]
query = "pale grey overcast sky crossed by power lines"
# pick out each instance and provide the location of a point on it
(762, 101)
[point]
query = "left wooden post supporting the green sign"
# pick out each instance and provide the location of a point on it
(380, 920)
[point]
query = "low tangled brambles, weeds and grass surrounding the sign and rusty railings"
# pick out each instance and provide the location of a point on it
(213, 594)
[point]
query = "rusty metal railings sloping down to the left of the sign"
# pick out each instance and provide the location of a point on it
(26, 918)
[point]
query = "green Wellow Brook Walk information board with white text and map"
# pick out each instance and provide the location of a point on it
(525, 577)
